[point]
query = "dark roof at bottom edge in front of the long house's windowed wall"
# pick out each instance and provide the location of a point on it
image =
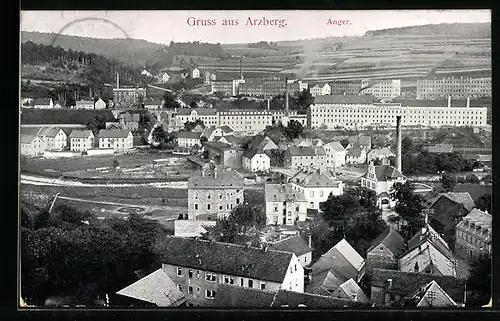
(241, 297)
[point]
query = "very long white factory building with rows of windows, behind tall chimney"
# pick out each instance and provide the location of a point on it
(332, 111)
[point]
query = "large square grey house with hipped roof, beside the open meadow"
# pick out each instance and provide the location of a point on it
(214, 192)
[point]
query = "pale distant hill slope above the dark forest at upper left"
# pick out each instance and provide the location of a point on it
(132, 51)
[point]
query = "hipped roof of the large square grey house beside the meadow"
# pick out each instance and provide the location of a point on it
(226, 178)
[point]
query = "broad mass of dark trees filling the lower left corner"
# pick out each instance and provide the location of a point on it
(70, 253)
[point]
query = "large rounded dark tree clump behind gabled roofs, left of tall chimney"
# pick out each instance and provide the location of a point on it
(353, 215)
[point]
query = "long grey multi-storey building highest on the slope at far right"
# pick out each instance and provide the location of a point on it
(455, 87)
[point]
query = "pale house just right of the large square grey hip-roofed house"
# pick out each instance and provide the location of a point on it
(284, 205)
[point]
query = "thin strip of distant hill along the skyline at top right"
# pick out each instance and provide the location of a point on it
(473, 30)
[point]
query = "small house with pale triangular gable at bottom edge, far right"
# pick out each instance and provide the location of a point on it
(431, 295)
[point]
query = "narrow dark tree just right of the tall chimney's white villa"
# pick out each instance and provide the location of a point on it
(409, 207)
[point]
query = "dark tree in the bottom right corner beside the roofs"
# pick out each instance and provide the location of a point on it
(479, 281)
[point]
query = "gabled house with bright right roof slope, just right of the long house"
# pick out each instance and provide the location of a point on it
(334, 268)
